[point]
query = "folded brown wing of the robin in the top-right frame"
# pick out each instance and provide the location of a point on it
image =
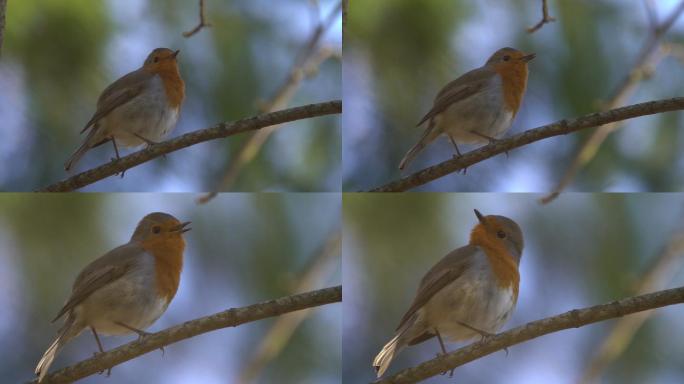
(462, 88)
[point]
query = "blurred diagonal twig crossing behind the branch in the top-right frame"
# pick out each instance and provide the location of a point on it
(649, 56)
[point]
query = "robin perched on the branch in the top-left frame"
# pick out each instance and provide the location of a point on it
(139, 108)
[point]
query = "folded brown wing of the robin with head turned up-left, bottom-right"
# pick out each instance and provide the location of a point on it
(451, 267)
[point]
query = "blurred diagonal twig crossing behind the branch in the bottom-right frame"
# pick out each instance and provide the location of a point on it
(616, 341)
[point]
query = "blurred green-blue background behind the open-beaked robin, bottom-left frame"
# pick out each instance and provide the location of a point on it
(243, 249)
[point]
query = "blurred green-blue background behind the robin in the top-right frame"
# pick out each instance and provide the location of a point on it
(398, 54)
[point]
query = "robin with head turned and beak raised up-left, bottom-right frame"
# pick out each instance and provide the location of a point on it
(472, 291)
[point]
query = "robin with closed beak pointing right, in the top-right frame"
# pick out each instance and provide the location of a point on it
(479, 106)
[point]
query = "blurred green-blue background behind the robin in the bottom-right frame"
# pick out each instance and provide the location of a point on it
(584, 249)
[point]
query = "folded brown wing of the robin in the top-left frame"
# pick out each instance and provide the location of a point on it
(118, 93)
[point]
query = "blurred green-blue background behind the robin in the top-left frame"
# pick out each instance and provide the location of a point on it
(58, 56)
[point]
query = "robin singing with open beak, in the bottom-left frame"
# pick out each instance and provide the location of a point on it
(127, 289)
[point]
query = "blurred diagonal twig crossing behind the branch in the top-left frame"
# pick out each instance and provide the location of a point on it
(305, 65)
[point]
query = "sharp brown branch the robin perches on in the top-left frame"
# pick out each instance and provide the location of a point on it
(218, 131)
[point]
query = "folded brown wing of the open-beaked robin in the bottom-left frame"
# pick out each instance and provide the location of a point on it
(101, 272)
